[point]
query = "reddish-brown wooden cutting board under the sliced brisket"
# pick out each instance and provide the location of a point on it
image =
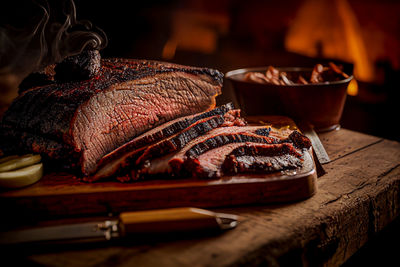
(61, 194)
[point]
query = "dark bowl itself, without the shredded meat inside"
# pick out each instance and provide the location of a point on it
(320, 104)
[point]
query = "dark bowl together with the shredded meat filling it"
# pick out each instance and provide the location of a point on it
(313, 95)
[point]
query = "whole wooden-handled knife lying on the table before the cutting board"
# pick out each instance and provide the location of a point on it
(128, 223)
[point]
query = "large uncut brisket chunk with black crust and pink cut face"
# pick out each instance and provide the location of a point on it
(93, 117)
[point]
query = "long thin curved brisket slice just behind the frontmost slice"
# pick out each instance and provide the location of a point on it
(172, 163)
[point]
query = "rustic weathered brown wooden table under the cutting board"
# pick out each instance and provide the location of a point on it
(356, 198)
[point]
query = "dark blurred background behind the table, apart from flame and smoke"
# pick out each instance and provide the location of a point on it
(231, 34)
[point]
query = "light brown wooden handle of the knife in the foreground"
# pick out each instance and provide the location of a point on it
(168, 220)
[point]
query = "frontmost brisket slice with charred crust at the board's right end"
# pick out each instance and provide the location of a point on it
(252, 156)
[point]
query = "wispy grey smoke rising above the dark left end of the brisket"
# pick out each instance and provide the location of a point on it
(47, 35)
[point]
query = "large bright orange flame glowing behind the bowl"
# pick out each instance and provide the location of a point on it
(330, 29)
